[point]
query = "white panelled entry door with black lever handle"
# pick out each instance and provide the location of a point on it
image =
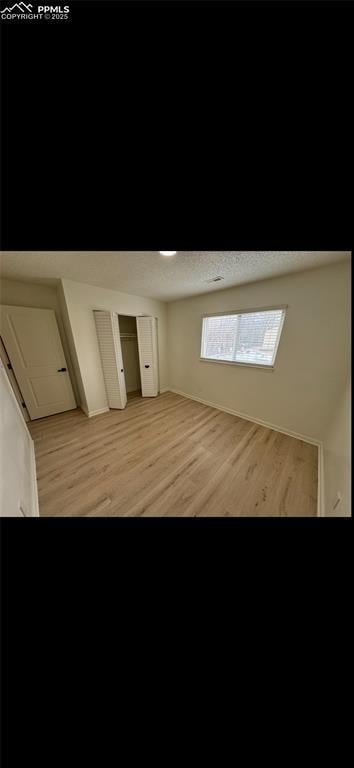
(33, 344)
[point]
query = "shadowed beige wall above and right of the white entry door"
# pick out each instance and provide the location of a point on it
(15, 293)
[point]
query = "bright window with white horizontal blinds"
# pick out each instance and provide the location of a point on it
(249, 338)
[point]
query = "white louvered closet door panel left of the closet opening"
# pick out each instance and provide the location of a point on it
(107, 327)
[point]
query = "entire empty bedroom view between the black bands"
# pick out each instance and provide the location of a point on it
(175, 383)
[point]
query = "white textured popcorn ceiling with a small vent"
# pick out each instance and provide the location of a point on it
(146, 273)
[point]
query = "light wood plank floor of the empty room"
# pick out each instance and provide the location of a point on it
(170, 456)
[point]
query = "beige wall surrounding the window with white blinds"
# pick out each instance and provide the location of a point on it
(312, 363)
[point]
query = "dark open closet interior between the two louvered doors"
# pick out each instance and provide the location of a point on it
(130, 354)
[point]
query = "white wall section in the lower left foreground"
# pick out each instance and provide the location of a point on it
(18, 484)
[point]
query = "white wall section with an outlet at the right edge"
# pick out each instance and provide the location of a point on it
(337, 457)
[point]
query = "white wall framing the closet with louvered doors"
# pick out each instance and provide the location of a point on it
(80, 301)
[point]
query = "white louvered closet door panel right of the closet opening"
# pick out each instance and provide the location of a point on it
(147, 343)
